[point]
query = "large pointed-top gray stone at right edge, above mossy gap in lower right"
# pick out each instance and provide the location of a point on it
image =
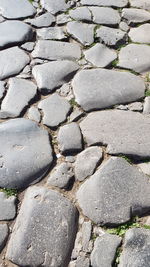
(115, 193)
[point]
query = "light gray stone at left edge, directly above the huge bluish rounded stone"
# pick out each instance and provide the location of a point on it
(19, 94)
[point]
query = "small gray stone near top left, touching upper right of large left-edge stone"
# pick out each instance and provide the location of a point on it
(45, 20)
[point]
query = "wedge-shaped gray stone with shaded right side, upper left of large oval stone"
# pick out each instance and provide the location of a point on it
(52, 75)
